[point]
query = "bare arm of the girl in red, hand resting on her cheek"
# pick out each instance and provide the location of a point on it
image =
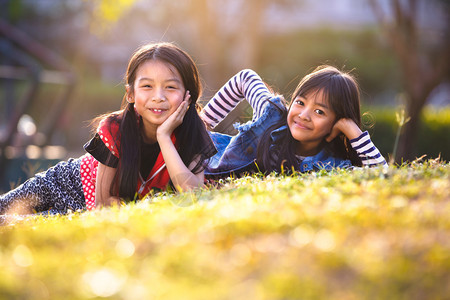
(182, 177)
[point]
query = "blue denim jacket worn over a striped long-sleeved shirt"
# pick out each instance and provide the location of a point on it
(237, 154)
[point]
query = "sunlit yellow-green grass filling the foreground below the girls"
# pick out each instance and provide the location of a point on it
(360, 234)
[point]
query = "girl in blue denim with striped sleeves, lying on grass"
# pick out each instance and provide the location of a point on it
(319, 129)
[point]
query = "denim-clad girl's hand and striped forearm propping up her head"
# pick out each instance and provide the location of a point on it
(360, 141)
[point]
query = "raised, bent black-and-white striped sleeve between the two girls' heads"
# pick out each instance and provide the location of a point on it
(246, 84)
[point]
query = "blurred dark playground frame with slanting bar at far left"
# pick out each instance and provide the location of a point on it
(26, 62)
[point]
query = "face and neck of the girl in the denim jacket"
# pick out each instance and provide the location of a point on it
(310, 120)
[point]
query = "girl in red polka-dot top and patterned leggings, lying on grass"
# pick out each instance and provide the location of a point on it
(156, 140)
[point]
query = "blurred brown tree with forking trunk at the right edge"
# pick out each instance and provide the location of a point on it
(423, 54)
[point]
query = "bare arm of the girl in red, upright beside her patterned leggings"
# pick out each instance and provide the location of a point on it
(105, 176)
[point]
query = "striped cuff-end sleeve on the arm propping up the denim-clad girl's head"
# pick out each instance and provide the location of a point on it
(369, 154)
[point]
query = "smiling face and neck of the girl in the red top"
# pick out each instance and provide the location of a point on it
(158, 91)
